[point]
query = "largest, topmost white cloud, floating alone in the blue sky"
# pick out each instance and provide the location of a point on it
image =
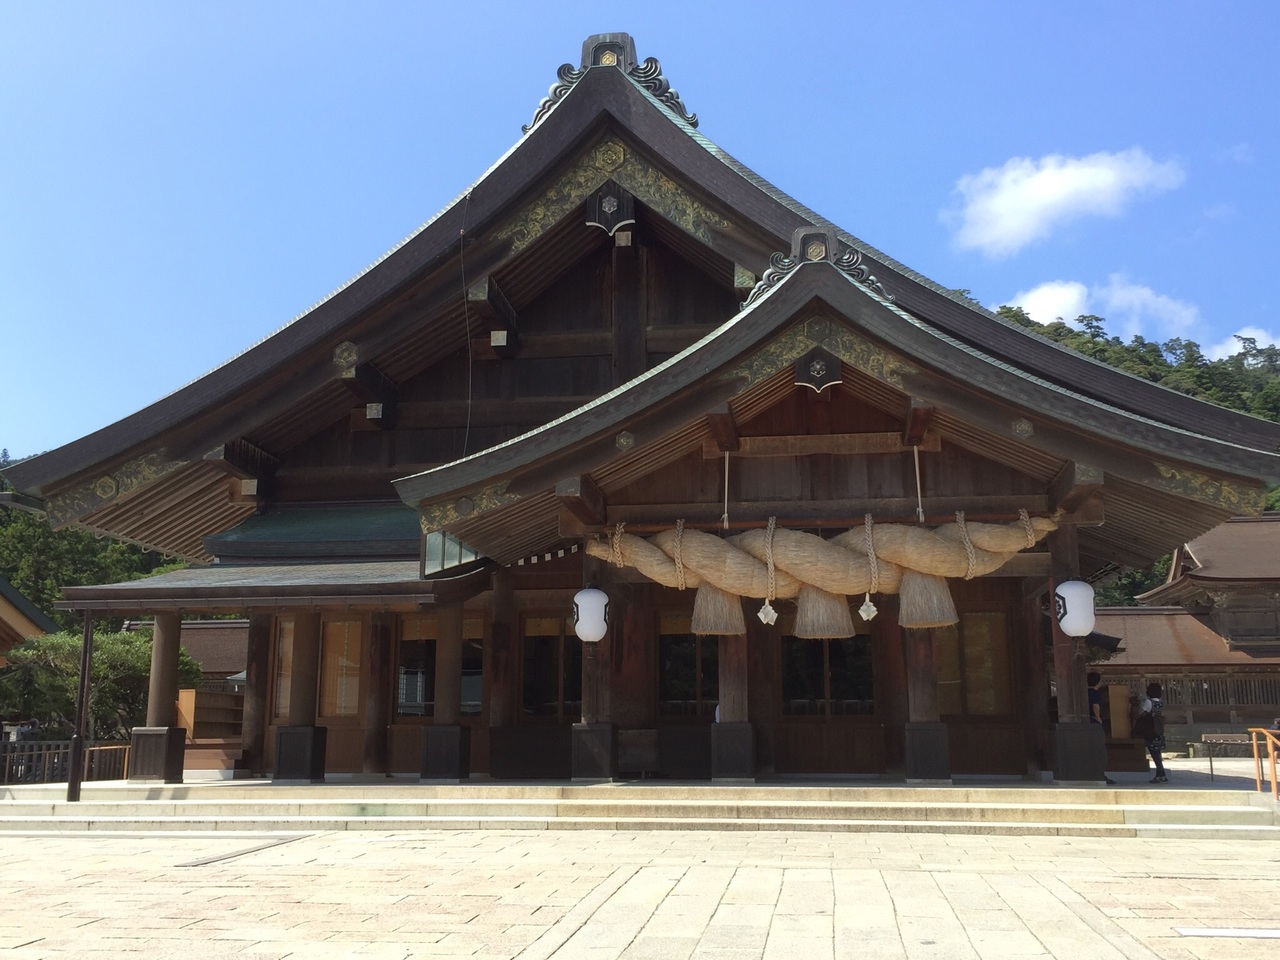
(1005, 209)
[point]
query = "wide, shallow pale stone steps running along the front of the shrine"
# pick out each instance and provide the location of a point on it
(257, 807)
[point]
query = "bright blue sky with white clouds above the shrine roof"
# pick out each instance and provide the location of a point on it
(177, 181)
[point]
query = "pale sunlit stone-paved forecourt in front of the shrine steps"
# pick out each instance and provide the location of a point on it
(662, 895)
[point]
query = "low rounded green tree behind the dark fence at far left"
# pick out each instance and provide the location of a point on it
(43, 678)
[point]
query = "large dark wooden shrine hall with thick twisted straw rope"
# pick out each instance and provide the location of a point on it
(826, 500)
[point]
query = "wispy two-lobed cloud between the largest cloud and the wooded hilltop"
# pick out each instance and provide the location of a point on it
(1128, 309)
